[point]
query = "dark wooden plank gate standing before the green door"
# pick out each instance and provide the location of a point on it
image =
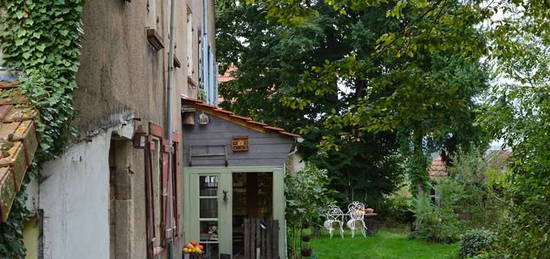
(265, 239)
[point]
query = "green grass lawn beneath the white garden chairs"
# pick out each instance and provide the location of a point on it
(386, 244)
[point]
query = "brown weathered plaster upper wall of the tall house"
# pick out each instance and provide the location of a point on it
(120, 71)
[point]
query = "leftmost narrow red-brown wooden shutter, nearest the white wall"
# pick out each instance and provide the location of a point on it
(149, 199)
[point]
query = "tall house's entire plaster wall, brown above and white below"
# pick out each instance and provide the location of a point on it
(121, 78)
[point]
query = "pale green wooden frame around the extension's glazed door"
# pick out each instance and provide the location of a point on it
(225, 216)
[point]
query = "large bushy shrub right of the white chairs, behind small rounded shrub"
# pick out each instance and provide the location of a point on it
(470, 197)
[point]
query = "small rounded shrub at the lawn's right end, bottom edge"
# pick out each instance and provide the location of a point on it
(477, 242)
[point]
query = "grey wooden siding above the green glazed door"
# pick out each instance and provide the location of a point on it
(269, 149)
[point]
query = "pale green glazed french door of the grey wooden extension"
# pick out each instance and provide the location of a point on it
(218, 199)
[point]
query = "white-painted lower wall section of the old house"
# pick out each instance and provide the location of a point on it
(75, 199)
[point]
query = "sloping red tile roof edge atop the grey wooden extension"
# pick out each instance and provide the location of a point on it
(241, 120)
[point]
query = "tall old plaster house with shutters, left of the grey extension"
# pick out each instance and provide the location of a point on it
(115, 192)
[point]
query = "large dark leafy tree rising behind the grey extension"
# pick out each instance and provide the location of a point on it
(328, 77)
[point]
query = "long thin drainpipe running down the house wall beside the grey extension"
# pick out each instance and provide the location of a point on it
(170, 96)
